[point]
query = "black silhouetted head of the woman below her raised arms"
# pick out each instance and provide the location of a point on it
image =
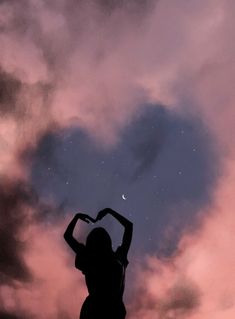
(99, 240)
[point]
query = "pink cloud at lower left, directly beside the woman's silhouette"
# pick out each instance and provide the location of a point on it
(57, 288)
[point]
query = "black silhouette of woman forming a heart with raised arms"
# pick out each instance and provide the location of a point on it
(103, 268)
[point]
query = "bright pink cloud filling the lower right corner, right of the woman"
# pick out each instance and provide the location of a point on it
(201, 269)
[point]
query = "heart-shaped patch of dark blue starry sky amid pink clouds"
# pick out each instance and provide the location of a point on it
(164, 164)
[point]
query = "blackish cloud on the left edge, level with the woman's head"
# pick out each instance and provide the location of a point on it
(15, 199)
